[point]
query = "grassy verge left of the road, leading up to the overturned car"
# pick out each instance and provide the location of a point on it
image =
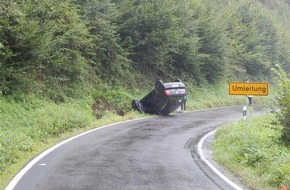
(29, 126)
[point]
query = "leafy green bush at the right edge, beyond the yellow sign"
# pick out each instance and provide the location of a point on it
(281, 100)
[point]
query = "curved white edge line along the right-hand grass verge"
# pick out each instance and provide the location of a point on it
(214, 169)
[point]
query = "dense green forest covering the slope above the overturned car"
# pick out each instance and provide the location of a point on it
(58, 48)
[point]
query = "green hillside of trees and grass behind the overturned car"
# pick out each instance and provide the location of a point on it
(60, 58)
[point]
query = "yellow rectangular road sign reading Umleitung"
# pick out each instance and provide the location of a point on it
(248, 88)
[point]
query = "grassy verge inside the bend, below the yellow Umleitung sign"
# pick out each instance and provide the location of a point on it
(256, 154)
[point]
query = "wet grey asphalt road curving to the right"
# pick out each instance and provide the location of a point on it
(157, 153)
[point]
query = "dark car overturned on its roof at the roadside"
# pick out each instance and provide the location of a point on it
(164, 99)
